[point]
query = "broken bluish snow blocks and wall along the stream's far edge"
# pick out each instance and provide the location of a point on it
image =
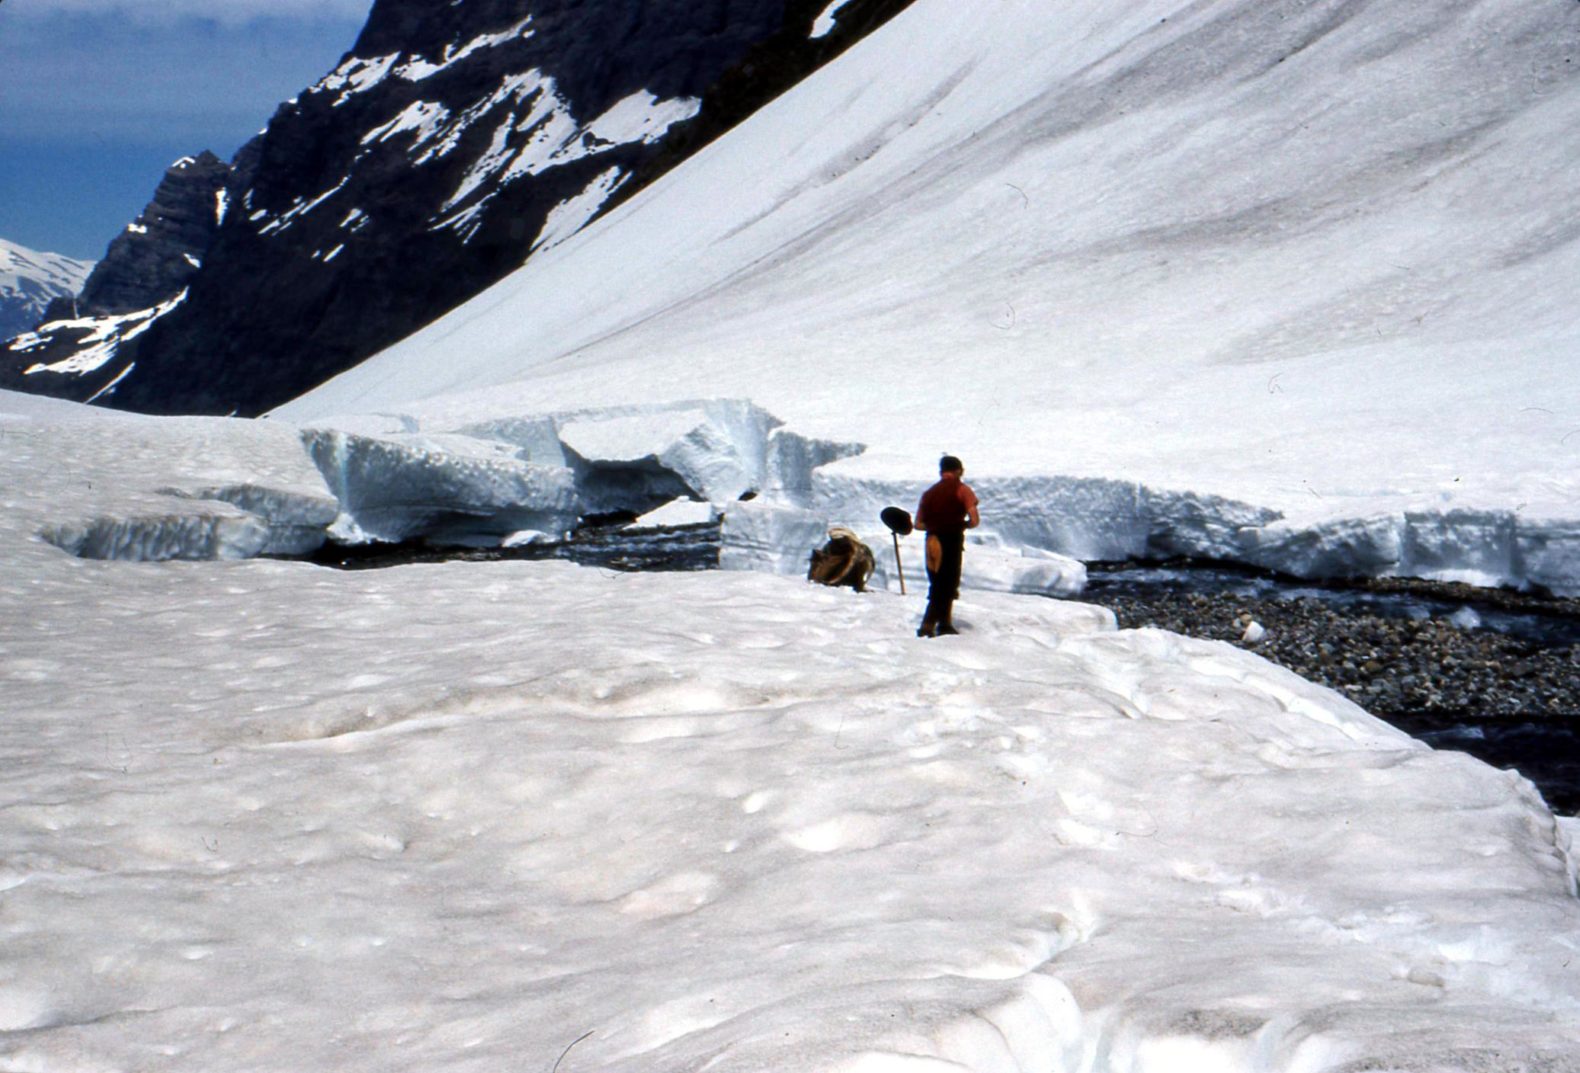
(388, 481)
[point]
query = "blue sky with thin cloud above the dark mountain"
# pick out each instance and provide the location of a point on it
(100, 97)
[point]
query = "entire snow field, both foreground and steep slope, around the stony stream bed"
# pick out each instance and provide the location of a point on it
(258, 815)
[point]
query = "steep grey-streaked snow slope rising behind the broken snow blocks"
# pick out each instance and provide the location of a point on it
(1309, 260)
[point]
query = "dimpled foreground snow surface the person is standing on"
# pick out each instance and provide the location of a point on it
(271, 816)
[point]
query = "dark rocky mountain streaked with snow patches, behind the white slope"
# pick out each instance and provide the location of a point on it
(450, 146)
